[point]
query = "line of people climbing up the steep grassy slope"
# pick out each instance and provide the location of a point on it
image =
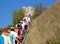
(17, 32)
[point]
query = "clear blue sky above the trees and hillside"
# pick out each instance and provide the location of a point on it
(8, 6)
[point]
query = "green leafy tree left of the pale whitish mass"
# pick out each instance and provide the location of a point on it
(17, 16)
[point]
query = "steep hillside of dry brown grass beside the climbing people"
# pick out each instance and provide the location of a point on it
(46, 28)
